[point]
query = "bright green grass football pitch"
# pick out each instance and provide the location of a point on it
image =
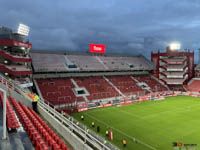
(155, 124)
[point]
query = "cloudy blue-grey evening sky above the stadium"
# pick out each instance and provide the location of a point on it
(125, 26)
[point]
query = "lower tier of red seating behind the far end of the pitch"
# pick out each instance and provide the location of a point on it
(60, 91)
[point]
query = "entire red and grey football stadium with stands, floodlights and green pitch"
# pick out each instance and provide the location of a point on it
(96, 100)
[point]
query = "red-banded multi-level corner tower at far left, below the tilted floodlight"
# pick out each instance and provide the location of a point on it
(15, 61)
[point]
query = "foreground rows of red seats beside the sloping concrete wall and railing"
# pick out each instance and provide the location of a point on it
(39, 132)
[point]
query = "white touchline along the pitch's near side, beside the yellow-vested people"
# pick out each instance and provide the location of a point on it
(147, 145)
